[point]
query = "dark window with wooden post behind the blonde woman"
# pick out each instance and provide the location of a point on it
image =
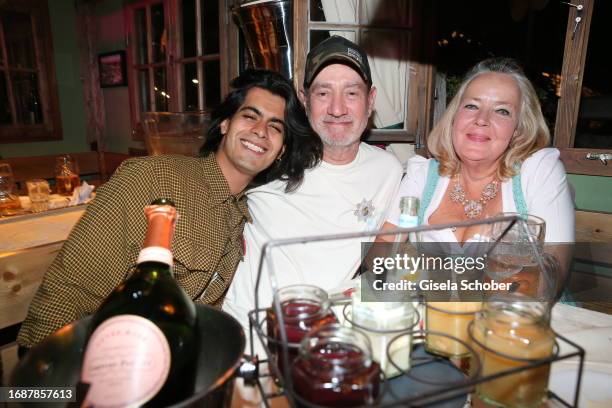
(567, 61)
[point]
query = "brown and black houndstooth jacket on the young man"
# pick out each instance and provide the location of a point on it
(101, 250)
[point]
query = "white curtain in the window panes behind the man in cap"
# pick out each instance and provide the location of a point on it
(389, 68)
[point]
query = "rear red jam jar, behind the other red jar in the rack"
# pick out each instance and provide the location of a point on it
(304, 308)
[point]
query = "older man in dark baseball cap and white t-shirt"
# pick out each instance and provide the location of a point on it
(348, 191)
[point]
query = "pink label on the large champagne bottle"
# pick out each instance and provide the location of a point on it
(126, 362)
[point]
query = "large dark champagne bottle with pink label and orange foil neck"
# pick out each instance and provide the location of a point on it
(143, 344)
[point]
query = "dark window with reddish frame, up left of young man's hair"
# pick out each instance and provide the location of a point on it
(174, 56)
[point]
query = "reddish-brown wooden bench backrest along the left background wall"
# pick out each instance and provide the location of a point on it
(94, 167)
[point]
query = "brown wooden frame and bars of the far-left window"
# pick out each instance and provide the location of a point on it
(51, 128)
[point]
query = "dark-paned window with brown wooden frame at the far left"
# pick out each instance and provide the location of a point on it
(28, 91)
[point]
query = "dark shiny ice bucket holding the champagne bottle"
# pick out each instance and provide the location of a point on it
(56, 361)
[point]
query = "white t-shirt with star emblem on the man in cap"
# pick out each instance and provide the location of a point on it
(332, 199)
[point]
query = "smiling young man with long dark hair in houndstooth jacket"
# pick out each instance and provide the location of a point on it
(259, 129)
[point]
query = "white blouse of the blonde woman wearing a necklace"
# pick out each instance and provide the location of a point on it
(543, 182)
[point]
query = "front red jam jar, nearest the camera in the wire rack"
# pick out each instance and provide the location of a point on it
(334, 368)
